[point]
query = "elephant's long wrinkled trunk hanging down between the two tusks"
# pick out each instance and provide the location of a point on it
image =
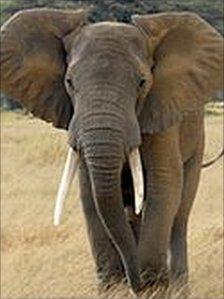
(104, 160)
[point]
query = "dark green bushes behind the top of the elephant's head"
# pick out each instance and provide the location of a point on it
(121, 10)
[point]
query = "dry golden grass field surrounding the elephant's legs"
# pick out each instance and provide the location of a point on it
(41, 261)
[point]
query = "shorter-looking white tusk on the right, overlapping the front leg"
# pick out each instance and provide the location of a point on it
(138, 181)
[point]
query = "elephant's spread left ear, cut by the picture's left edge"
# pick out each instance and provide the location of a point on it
(33, 61)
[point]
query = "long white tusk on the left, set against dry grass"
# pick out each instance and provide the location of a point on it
(70, 168)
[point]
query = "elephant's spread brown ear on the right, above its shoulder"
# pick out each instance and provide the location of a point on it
(188, 66)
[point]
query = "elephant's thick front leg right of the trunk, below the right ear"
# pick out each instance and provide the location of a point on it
(162, 160)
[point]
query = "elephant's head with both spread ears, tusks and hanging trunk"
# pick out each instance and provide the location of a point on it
(107, 84)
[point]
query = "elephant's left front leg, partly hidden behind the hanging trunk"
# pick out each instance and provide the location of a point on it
(108, 263)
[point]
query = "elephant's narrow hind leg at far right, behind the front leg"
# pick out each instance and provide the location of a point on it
(179, 263)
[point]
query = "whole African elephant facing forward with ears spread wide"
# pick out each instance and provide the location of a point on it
(123, 91)
